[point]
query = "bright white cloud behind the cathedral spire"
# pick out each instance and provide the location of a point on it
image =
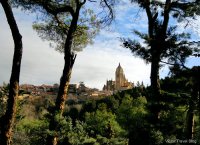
(98, 63)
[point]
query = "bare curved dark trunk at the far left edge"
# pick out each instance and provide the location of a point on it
(7, 120)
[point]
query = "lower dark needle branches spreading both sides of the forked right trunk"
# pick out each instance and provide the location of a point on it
(176, 47)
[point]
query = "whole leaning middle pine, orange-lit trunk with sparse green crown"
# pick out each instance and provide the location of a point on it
(66, 25)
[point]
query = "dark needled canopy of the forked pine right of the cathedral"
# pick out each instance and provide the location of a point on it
(171, 45)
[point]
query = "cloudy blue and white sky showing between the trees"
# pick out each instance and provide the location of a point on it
(94, 65)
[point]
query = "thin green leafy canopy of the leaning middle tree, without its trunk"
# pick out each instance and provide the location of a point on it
(55, 18)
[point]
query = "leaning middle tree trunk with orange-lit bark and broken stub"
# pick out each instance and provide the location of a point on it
(64, 81)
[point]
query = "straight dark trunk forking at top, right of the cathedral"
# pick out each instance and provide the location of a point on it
(157, 45)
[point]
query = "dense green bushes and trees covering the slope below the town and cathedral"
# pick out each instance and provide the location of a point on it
(123, 118)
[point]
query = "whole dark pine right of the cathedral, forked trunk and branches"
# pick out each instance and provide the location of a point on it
(162, 43)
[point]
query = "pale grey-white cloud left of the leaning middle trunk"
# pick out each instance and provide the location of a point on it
(39, 62)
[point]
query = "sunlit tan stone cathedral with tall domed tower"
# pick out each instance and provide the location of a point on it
(120, 83)
